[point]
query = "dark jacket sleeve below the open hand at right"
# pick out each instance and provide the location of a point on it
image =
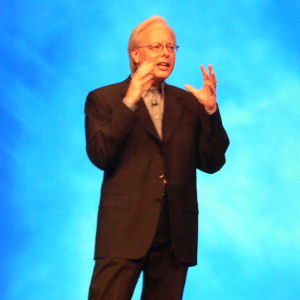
(213, 142)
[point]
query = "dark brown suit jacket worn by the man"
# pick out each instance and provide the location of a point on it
(126, 146)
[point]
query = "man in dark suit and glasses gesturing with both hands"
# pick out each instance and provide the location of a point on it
(149, 138)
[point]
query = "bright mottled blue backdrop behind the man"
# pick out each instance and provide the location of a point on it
(53, 53)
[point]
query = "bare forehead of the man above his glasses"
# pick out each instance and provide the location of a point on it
(157, 33)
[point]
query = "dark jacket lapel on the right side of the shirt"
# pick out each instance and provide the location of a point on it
(172, 112)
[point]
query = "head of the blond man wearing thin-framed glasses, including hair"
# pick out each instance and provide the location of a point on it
(150, 32)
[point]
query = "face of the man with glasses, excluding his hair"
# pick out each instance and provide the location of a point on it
(164, 60)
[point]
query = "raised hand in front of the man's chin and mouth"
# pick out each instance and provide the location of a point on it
(140, 82)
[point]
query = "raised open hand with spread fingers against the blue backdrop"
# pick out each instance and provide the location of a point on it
(207, 96)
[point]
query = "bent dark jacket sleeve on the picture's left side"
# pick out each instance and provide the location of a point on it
(107, 128)
